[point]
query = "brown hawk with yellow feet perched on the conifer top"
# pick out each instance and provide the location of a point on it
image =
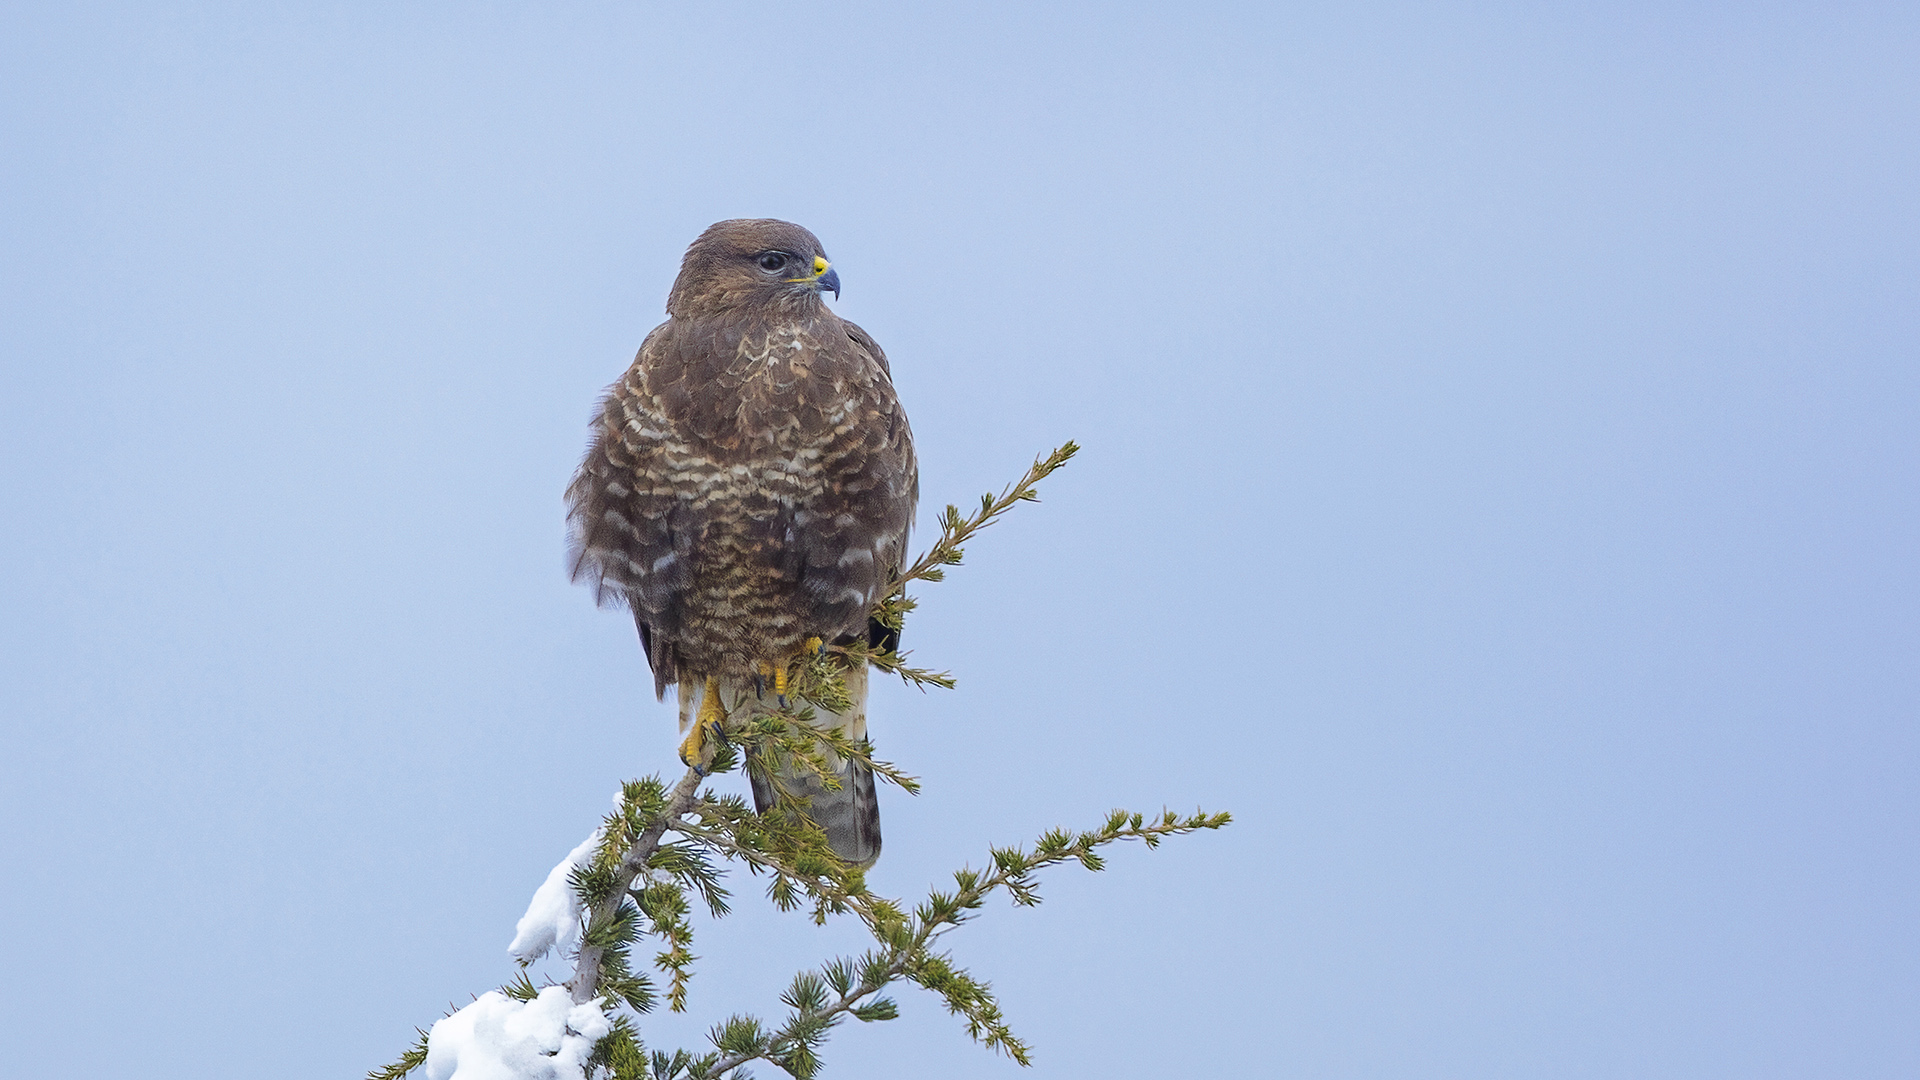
(748, 495)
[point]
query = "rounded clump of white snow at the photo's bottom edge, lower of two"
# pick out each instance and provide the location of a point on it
(500, 1039)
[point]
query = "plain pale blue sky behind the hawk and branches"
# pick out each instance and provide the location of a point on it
(1500, 493)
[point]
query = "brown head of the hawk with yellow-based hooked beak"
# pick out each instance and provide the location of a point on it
(754, 262)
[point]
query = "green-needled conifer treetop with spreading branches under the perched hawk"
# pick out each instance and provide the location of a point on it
(665, 847)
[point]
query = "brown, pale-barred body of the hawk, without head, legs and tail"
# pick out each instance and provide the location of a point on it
(750, 485)
